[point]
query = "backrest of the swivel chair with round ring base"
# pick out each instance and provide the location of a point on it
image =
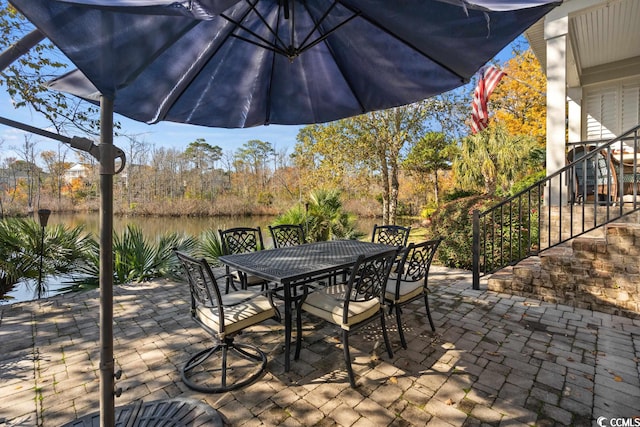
(203, 286)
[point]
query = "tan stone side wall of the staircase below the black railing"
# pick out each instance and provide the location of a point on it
(598, 272)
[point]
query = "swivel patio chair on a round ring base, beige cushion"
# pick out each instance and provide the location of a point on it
(226, 365)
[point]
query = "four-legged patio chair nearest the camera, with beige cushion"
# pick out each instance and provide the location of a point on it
(351, 305)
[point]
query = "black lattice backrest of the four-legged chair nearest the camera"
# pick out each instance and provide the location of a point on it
(368, 278)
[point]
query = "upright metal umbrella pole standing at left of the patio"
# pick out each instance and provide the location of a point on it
(107, 170)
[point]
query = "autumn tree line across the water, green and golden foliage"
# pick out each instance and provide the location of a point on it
(411, 160)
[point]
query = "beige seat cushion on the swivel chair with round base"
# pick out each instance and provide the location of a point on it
(250, 309)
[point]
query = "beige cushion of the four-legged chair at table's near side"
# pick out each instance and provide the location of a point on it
(328, 304)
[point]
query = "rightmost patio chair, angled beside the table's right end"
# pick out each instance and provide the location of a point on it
(409, 282)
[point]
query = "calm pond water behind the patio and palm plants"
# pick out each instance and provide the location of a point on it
(150, 227)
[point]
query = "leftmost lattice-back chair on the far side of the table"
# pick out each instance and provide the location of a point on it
(239, 240)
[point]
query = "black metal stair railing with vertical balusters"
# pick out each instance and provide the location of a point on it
(595, 156)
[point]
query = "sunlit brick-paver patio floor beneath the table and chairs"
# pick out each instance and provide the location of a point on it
(495, 359)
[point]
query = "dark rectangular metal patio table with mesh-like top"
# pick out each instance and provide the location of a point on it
(292, 266)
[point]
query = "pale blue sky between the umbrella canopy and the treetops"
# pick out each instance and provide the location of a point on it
(161, 134)
